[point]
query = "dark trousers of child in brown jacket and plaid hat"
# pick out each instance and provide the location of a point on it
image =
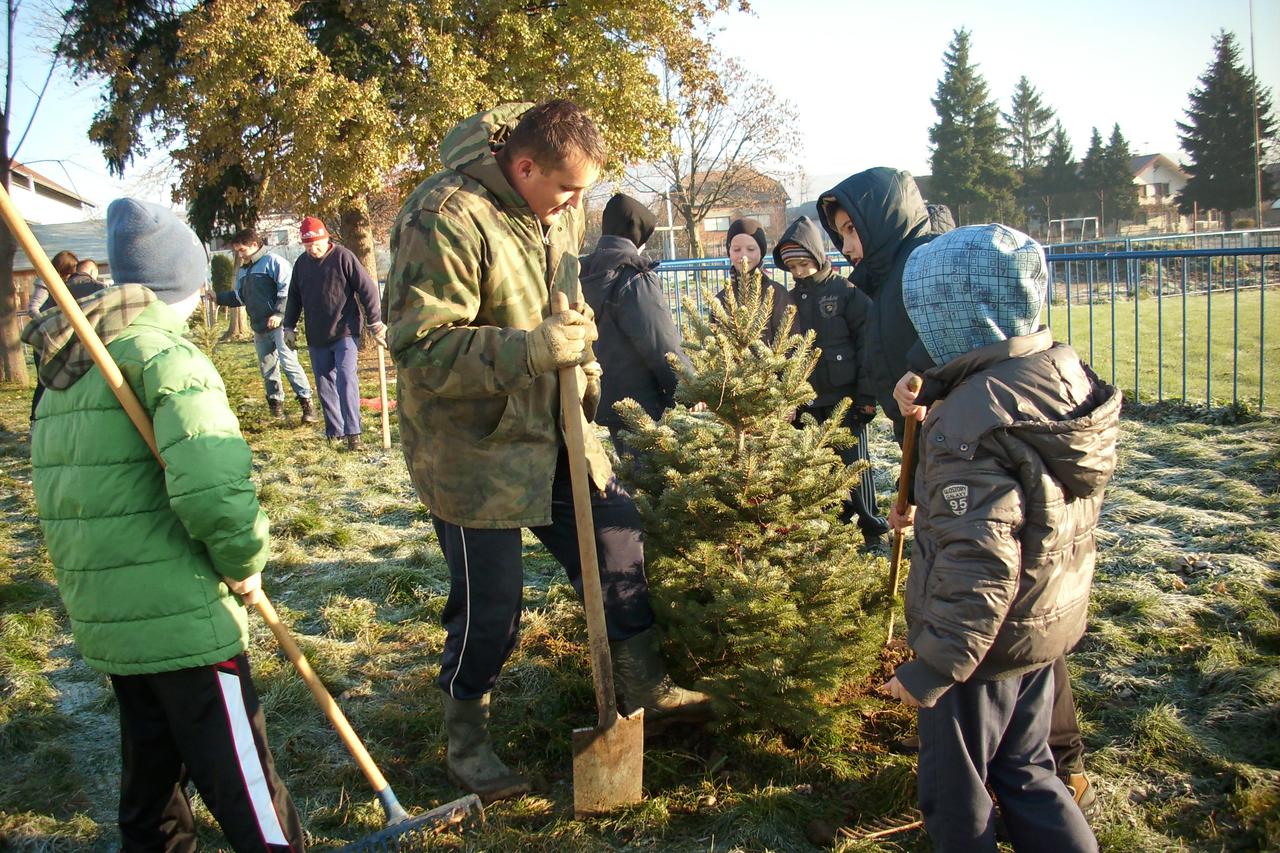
(995, 733)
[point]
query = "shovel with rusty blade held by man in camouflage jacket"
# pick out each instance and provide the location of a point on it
(609, 760)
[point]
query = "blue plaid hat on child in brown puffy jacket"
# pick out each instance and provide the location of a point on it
(973, 288)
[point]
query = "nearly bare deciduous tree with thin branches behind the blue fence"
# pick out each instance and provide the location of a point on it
(724, 142)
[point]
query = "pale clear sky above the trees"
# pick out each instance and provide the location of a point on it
(860, 72)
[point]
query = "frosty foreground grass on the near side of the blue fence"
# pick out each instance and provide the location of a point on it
(1178, 679)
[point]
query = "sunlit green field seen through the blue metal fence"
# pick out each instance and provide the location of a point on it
(1238, 349)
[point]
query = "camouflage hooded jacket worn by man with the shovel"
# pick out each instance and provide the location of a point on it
(473, 272)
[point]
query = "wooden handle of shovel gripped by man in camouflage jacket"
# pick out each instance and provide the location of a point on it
(593, 600)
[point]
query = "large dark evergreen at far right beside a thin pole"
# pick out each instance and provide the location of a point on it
(1218, 135)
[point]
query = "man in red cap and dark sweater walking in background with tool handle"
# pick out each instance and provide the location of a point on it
(332, 288)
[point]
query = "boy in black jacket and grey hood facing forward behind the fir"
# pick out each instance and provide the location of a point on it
(836, 312)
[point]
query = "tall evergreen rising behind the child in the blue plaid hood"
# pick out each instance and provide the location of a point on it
(972, 174)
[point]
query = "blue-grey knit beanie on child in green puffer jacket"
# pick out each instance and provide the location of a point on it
(149, 245)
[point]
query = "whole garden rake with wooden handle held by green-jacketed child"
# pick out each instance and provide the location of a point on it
(401, 828)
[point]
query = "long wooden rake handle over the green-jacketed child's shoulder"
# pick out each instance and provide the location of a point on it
(139, 416)
